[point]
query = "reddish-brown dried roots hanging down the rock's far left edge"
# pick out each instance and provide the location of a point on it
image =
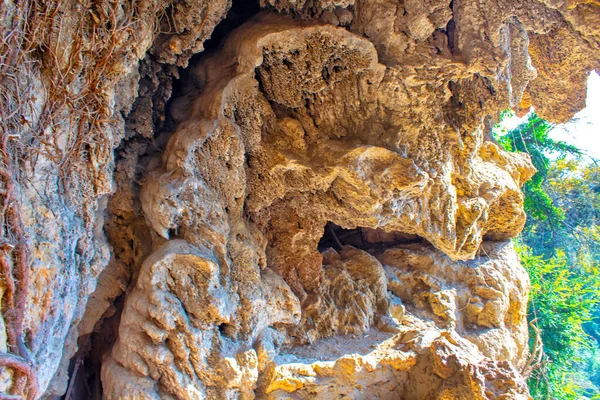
(14, 255)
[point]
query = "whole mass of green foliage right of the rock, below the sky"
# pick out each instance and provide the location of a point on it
(560, 248)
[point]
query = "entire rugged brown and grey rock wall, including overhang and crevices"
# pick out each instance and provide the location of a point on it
(291, 199)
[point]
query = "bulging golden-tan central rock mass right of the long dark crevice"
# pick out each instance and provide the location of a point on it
(294, 125)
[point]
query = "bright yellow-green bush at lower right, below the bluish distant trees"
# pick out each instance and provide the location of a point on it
(563, 298)
